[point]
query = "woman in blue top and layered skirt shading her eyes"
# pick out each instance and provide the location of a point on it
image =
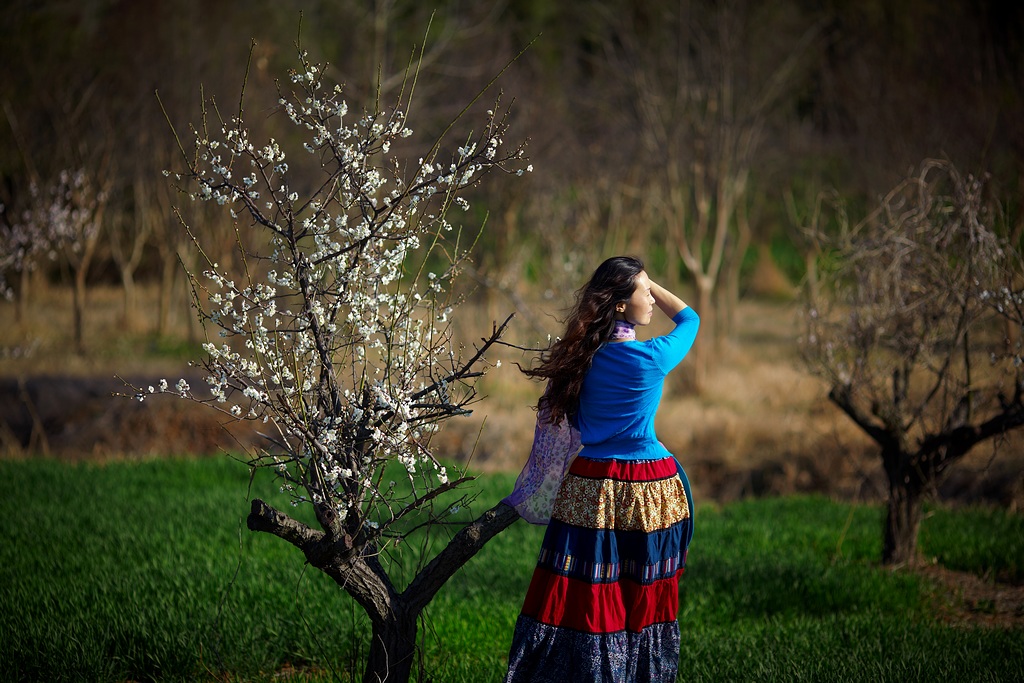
(605, 597)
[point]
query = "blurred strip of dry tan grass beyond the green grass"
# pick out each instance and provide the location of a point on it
(761, 424)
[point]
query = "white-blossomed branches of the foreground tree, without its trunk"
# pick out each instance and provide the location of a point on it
(334, 332)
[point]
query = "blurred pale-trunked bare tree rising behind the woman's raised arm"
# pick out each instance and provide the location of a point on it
(707, 77)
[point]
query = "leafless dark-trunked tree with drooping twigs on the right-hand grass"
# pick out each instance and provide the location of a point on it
(913, 341)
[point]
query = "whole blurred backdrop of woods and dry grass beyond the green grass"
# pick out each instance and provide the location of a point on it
(710, 139)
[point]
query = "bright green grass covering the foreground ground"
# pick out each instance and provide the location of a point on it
(147, 572)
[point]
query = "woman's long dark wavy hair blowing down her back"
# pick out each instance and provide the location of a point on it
(589, 325)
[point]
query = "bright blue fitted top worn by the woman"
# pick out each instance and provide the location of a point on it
(623, 390)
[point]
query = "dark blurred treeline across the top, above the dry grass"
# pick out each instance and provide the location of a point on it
(691, 133)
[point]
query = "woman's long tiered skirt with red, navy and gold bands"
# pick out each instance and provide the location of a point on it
(605, 597)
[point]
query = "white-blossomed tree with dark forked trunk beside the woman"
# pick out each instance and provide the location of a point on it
(335, 334)
